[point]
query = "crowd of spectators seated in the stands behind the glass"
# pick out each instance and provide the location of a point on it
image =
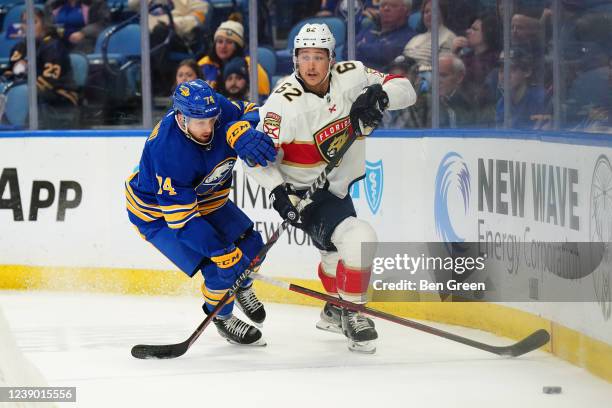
(392, 36)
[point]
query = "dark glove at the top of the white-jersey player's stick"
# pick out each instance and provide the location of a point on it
(368, 108)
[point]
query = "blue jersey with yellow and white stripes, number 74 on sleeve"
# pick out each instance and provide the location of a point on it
(179, 182)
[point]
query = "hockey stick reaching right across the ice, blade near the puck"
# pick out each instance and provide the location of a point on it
(532, 342)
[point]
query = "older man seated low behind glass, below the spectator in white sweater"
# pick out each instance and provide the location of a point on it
(456, 108)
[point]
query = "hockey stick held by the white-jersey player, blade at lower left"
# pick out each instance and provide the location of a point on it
(176, 350)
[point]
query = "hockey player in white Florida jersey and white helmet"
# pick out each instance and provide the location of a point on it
(309, 118)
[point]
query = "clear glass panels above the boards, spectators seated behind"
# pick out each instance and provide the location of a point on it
(548, 68)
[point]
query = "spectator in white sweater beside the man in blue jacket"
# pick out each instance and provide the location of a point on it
(419, 47)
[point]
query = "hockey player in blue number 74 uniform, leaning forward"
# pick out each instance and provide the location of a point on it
(179, 198)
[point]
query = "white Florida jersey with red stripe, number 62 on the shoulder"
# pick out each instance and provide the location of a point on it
(308, 130)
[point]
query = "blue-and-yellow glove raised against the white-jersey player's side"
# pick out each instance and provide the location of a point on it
(251, 145)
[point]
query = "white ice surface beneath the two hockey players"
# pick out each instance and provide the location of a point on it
(84, 340)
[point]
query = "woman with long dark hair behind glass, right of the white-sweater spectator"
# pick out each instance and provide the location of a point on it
(479, 51)
